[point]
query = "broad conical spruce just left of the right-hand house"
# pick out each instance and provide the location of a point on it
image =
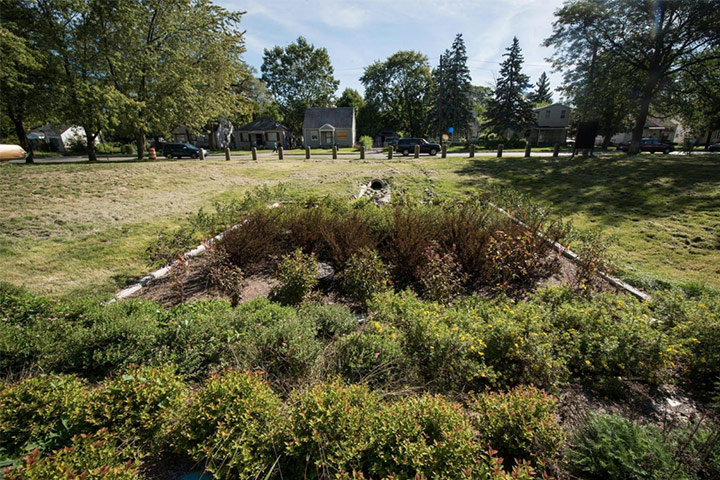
(508, 111)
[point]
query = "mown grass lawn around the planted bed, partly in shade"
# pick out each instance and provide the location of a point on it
(80, 228)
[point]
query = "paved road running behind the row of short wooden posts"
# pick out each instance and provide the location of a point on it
(327, 156)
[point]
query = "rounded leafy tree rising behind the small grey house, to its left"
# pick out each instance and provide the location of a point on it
(300, 76)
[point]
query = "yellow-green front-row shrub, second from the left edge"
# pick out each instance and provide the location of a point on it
(133, 404)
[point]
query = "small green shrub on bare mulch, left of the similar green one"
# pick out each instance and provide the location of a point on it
(297, 274)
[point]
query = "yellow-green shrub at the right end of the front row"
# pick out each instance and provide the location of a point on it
(519, 424)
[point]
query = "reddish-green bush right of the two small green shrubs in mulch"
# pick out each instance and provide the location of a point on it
(441, 277)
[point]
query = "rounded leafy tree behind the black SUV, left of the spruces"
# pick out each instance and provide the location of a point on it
(398, 89)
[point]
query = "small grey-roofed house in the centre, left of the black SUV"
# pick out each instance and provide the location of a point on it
(325, 127)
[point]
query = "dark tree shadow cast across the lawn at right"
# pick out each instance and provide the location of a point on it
(609, 189)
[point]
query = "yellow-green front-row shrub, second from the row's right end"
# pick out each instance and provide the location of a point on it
(424, 437)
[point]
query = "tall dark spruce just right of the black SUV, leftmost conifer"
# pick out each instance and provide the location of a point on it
(452, 104)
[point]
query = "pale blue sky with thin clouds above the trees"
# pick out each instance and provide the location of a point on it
(357, 33)
